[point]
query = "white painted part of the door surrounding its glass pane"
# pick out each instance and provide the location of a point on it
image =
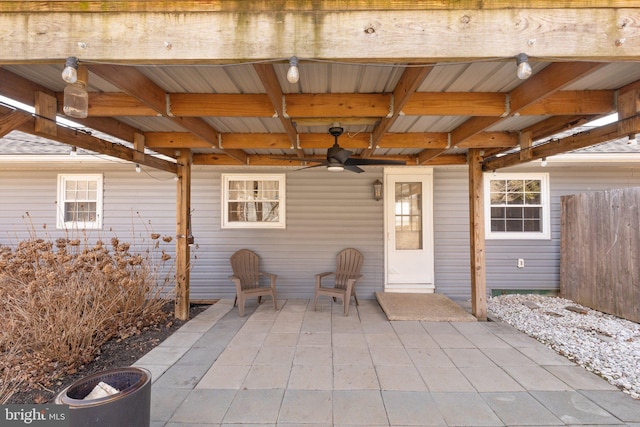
(422, 261)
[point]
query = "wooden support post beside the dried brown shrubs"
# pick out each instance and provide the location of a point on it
(183, 212)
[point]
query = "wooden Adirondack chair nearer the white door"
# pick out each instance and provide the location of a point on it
(348, 264)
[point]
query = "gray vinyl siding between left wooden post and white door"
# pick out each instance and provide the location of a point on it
(325, 213)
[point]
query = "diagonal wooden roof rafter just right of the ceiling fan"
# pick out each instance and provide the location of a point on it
(411, 79)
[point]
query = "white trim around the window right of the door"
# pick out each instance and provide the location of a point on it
(545, 234)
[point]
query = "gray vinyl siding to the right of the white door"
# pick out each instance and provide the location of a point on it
(542, 257)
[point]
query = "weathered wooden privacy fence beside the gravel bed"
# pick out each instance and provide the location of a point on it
(600, 251)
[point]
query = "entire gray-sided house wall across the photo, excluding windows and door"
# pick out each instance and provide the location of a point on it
(326, 212)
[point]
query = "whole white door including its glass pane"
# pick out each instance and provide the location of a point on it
(409, 230)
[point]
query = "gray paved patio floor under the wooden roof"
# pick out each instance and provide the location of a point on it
(300, 367)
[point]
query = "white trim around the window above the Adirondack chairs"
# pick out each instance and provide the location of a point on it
(281, 223)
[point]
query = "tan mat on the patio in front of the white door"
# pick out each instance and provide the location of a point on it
(427, 307)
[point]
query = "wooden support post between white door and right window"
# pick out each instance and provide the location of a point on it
(476, 229)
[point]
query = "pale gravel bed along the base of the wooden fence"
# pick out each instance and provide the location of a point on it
(604, 344)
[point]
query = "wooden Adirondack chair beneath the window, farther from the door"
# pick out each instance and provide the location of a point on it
(246, 276)
